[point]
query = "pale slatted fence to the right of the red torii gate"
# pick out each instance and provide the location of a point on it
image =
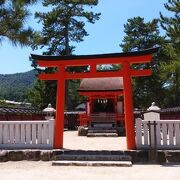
(159, 134)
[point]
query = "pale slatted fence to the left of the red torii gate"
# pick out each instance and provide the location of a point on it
(26, 134)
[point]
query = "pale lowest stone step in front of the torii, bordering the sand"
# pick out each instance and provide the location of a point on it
(93, 163)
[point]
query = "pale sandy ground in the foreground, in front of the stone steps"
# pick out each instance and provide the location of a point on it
(29, 170)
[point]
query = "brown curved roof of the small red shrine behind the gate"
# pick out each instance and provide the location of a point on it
(101, 84)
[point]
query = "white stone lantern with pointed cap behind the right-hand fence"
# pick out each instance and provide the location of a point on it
(153, 113)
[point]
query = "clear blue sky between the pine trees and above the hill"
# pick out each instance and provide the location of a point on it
(104, 36)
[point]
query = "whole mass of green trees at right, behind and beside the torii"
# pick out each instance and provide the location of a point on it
(163, 86)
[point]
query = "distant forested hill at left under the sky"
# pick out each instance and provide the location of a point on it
(15, 86)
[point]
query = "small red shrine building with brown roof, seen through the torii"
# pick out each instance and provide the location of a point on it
(104, 101)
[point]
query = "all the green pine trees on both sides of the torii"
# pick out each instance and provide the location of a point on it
(63, 25)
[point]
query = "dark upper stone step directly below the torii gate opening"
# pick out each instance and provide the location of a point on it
(93, 157)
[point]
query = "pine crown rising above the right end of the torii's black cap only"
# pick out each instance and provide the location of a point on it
(140, 35)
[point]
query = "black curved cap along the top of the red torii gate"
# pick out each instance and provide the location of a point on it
(95, 56)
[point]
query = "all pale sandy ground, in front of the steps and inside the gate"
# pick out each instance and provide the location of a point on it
(38, 170)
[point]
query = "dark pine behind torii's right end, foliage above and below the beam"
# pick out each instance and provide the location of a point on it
(141, 35)
